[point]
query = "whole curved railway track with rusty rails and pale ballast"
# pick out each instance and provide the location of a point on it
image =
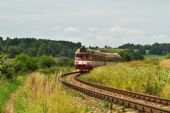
(138, 101)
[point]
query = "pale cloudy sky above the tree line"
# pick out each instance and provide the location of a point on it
(91, 22)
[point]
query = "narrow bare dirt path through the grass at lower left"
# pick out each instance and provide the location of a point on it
(9, 106)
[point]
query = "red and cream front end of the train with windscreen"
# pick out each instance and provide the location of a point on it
(83, 59)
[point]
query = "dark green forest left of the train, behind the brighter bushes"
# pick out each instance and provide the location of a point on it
(37, 47)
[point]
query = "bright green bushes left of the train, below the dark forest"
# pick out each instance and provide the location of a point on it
(24, 64)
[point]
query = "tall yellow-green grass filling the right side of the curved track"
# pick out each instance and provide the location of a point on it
(144, 77)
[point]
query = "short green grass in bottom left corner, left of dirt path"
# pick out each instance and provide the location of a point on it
(6, 88)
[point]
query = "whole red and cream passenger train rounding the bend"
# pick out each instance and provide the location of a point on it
(87, 59)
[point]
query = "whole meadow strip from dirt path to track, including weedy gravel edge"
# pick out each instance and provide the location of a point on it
(42, 93)
